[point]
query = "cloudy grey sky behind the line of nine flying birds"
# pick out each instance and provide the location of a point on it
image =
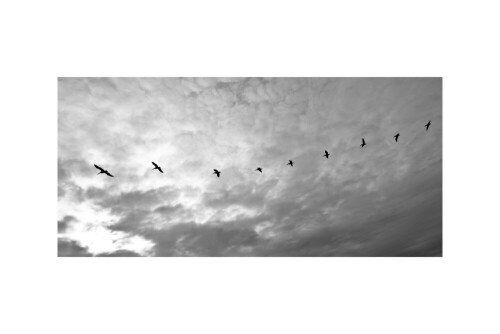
(384, 199)
